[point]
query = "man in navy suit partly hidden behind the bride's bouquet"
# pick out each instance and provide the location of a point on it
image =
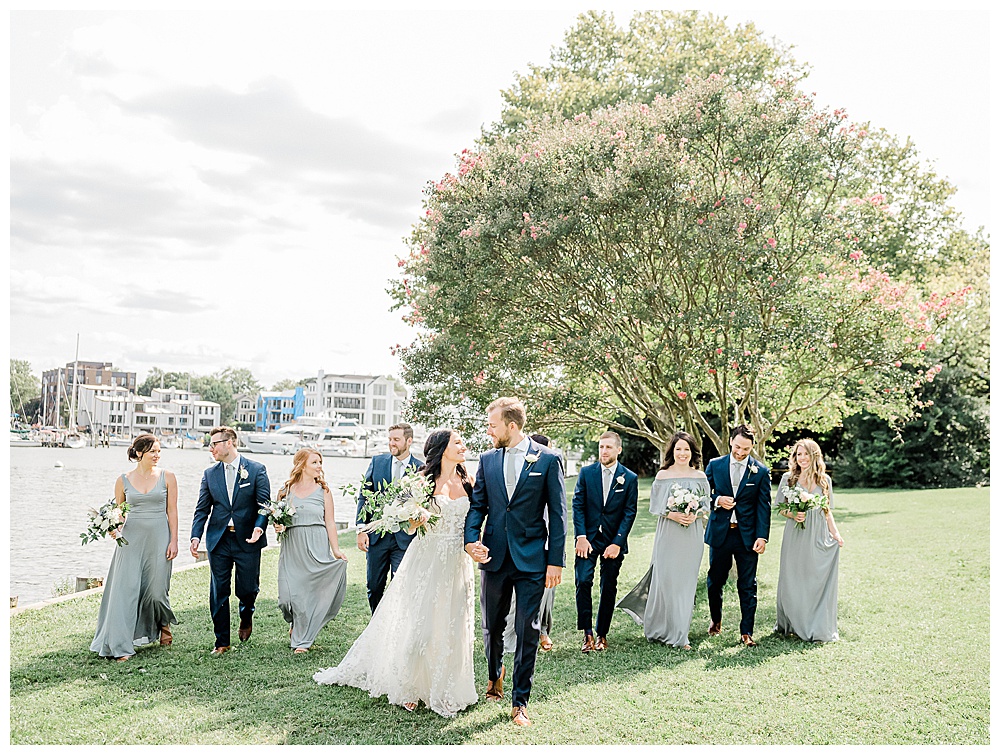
(385, 552)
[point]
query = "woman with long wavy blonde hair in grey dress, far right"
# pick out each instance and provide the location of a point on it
(807, 575)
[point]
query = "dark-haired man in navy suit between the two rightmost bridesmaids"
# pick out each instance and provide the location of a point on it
(738, 528)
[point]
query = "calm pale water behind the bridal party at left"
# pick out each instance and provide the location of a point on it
(48, 551)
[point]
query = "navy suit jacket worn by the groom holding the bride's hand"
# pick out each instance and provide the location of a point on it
(515, 528)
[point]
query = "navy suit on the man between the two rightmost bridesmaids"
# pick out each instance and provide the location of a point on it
(726, 542)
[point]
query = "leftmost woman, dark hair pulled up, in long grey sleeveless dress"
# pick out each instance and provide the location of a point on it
(135, 607)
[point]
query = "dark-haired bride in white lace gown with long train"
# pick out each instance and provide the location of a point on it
(418, 646)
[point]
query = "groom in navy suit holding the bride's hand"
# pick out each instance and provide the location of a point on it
(517, 482)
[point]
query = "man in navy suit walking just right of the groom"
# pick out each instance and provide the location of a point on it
(604, 507)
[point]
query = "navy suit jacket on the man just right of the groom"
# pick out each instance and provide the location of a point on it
(610, 523)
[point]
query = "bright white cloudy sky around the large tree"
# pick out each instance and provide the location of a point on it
(200, 190)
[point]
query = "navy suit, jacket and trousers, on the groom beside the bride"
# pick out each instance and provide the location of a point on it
(516, 535)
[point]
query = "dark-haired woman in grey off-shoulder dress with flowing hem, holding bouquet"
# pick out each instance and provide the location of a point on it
(663, 601)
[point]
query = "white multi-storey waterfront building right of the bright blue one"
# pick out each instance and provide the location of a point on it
(376, 401)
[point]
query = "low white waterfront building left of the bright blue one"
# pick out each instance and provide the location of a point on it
(166, 411)
